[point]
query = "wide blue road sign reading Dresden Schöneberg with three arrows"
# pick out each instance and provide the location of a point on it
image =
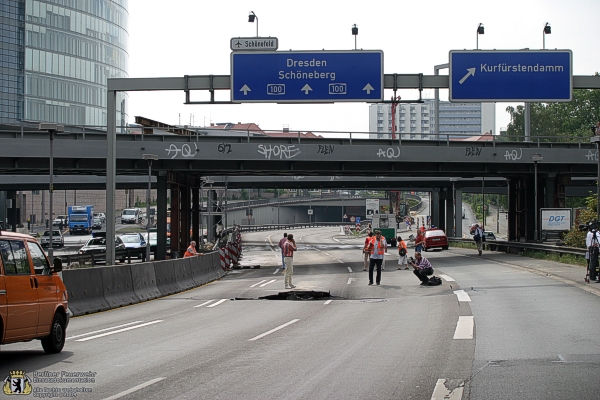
(307, 76)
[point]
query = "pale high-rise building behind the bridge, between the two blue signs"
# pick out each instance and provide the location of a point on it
(417, 121)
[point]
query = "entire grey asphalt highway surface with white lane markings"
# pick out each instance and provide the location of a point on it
(495, 329)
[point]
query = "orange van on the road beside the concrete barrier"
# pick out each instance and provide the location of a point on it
(33, 297)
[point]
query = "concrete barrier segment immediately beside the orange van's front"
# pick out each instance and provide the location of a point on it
(86, 294)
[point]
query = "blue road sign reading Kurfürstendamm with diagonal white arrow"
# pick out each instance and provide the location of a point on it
(519, 75)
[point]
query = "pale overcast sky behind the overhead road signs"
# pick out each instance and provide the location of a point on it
(184, 37)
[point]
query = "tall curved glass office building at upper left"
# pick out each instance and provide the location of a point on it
(56, 57)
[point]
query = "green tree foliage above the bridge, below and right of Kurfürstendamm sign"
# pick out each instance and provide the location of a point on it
(549, 120)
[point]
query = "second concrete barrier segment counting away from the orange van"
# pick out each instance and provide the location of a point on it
(118, 286)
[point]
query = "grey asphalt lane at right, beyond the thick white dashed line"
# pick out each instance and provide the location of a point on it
(533, 331)
